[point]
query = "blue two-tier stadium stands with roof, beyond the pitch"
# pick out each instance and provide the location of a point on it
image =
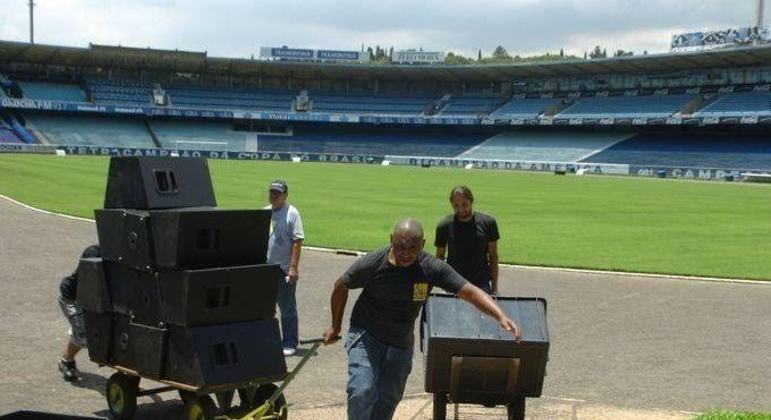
(700, 114)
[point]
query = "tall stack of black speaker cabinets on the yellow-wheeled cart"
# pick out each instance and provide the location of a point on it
(182, 292)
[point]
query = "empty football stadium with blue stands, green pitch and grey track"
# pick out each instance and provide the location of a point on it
(630, 190)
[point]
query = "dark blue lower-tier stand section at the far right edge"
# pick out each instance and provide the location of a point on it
(697, 150)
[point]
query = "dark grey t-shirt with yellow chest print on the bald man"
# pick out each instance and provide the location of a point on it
(392, 296)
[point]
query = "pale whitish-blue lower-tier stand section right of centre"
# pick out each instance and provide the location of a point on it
(545, 146)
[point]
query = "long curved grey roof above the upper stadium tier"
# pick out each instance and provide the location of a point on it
(200, 62)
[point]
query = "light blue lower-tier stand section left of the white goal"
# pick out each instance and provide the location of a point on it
(75, 130)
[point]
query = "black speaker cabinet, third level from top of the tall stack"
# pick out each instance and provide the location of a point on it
(194, 297)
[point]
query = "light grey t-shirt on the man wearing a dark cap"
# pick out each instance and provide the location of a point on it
(286, 226)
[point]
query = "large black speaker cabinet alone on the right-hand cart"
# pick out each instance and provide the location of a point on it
(472, 359)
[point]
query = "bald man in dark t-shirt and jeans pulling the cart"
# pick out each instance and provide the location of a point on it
(395, 282)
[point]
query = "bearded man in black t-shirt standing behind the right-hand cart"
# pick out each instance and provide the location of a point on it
(471, 241)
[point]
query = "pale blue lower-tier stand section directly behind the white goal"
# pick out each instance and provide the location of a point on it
(201, 135)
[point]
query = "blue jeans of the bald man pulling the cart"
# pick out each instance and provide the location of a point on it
(377, 374)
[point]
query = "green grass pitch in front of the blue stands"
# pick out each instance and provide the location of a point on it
(606, 223)
